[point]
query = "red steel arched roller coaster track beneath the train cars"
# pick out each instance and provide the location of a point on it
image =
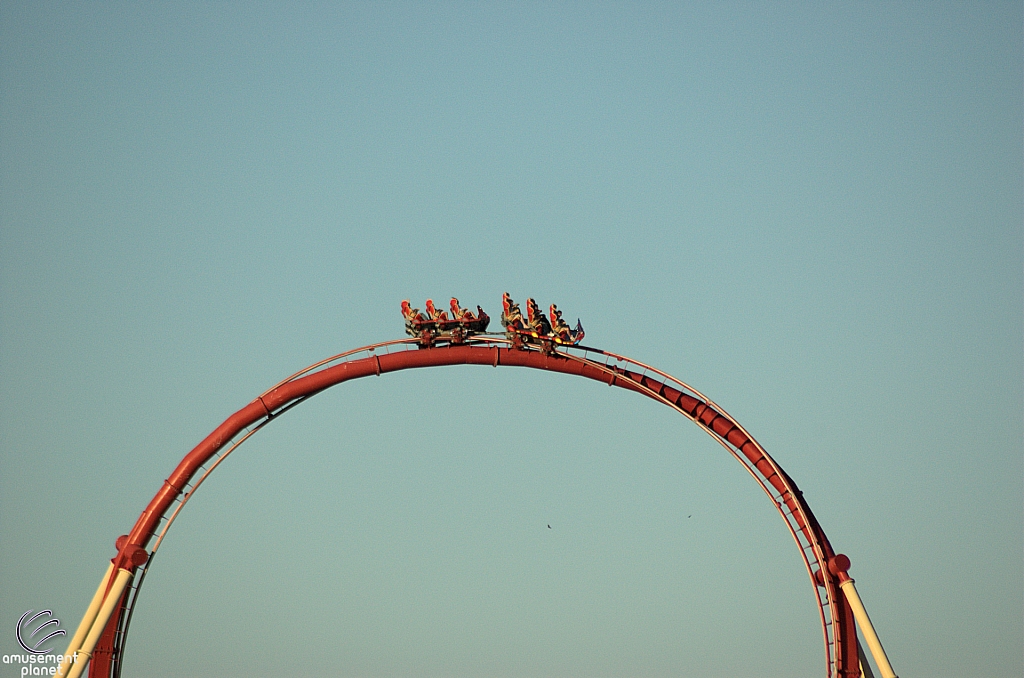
(837, 621)
